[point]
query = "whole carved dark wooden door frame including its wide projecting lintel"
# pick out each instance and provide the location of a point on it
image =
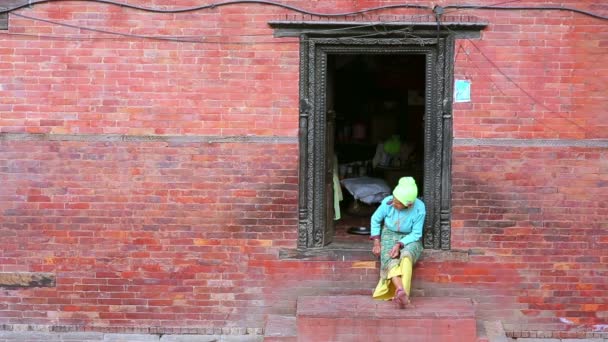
(416, 35)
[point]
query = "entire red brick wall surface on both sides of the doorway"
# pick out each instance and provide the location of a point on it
(187, 234)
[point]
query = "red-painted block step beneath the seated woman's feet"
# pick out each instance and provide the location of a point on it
(360, 318)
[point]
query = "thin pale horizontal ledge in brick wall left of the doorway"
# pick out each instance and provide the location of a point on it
(210, 139)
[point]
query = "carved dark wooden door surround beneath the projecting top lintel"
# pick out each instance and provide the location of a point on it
(439, 52)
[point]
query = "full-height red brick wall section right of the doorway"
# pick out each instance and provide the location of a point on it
(534, 212)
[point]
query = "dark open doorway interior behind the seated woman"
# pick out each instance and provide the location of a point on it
(376, 104)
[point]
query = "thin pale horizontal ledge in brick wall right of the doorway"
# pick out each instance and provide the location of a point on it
(603, 143)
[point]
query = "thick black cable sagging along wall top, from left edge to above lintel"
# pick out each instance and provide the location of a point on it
(225, 3)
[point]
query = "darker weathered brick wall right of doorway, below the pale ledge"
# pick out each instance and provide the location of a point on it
(539, 217)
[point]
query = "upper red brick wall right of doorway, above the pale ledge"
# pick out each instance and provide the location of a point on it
(534, 75)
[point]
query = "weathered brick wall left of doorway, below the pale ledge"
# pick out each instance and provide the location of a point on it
(148, 233)
